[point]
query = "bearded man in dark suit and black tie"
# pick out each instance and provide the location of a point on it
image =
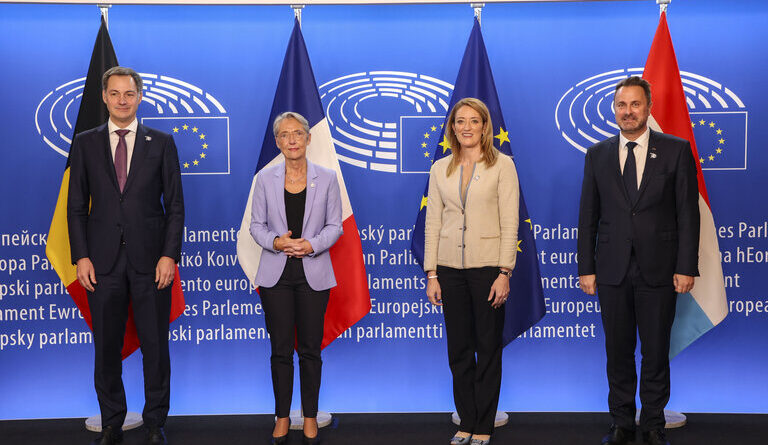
(637, 248)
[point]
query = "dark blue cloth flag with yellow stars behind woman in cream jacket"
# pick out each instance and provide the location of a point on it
(525, 306)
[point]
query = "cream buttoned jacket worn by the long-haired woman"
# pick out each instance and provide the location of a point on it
(483, 231)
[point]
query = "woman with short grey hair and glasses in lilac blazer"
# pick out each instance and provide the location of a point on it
(296, 218)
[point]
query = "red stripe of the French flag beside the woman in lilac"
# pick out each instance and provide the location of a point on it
(350, 300)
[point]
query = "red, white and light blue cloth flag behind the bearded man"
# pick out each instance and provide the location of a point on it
(705, 305)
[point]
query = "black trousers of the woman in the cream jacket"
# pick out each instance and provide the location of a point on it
(473, 331)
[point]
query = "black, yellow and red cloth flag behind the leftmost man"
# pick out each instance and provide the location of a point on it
(93, 112)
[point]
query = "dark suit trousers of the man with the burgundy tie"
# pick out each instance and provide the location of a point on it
(109, 306)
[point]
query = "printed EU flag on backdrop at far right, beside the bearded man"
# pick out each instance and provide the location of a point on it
(721, 139)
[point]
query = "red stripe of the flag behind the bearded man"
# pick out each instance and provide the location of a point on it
(669, 105)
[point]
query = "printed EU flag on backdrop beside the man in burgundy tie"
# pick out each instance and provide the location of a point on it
(202, 142)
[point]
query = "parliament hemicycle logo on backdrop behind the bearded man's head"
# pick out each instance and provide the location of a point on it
(584, 116)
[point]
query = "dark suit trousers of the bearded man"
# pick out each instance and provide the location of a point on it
(630, 308)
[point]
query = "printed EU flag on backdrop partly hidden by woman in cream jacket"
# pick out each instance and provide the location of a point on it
(419, 135)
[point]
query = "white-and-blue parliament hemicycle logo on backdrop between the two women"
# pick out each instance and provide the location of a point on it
(386, 121)
